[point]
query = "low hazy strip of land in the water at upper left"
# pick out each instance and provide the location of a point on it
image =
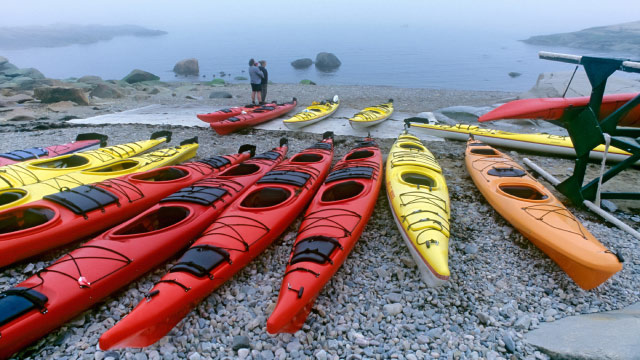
(23, 37)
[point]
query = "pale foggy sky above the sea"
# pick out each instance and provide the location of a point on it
(527, 17)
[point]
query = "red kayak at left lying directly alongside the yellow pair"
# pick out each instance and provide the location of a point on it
(74, 213)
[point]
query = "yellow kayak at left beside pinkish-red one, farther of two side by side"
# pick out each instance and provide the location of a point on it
(35, 171)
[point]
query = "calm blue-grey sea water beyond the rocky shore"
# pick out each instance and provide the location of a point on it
(403, 56)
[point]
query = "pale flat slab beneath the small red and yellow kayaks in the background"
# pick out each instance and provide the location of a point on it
(186, 116)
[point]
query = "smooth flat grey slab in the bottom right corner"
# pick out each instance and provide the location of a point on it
(606, 335)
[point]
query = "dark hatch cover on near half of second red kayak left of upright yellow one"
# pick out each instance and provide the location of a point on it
(201, 259)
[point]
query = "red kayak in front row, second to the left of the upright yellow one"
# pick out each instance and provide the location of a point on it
(241, 233)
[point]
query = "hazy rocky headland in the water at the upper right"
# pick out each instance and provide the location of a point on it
(624, 38)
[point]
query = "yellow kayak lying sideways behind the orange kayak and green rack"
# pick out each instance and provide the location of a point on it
(537, 142)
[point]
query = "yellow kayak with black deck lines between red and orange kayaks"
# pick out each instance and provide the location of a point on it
(419, 201)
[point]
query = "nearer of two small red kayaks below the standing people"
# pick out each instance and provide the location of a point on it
(259, 115)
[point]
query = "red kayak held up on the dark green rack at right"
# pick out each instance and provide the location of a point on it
(554, 108)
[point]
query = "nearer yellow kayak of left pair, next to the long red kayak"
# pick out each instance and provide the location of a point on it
(162, 157)
